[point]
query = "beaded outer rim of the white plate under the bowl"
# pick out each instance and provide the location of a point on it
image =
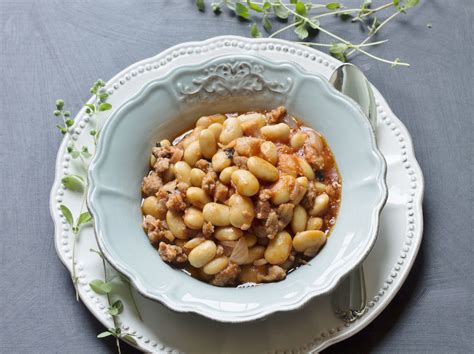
(414, 235)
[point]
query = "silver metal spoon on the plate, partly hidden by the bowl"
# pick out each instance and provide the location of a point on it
(350, 298)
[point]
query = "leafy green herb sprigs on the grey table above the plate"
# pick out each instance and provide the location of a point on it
(304, 17)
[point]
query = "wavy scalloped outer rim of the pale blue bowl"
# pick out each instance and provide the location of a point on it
(310, 291)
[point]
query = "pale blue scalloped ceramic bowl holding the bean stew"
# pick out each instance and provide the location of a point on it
(167, 106)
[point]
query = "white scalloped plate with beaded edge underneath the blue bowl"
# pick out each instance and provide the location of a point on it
(309, 329)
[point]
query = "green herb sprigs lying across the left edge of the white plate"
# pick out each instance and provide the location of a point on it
(77, 183)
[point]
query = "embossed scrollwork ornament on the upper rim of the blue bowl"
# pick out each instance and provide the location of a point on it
(238, 78)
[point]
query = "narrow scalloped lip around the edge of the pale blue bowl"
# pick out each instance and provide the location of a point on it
(283, 306)
